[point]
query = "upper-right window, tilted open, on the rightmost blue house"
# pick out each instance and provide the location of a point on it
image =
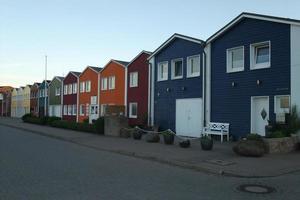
(260, 55)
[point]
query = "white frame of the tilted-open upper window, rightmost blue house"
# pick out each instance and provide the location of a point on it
(253, 55)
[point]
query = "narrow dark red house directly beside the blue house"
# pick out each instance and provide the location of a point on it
(137, 89)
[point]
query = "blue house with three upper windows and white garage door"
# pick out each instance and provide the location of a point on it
(176, 80)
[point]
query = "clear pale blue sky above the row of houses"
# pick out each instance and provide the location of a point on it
(78, 33)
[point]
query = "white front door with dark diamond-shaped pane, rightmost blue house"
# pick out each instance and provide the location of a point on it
(260, 115)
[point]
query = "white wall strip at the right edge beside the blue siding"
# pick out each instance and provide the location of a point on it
(295, 65)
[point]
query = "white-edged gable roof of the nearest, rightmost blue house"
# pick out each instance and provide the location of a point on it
(252, 16)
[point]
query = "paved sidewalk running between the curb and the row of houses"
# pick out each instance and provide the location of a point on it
(221, 160)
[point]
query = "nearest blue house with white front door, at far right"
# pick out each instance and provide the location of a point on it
(254, 67)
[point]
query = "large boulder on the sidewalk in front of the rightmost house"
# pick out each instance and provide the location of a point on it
(251, 148)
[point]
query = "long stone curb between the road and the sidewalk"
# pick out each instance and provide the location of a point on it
(151, 158)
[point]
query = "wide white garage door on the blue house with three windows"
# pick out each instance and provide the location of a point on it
(189, 117)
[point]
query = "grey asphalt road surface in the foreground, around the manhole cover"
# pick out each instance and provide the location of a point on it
(38, 167)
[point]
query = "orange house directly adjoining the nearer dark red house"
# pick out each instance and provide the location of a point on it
(112, 85)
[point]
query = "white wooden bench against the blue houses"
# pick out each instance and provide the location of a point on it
(215, 128)
